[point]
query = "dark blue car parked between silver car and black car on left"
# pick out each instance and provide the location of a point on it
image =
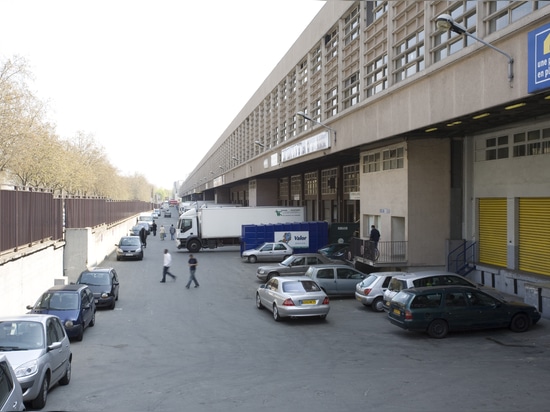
(74, 305)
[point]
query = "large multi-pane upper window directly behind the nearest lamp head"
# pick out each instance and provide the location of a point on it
(446, 42)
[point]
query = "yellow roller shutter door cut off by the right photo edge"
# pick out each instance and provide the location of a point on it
(534, 235)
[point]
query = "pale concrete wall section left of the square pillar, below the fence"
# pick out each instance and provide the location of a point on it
(27, 273)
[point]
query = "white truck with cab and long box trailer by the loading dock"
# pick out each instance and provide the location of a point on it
(210, 228)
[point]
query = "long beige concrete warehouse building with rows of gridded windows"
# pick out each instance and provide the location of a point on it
(438, 137)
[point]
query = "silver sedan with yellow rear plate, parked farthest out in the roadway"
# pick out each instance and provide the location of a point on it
(293, 297)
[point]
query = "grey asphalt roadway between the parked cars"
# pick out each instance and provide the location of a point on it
(167, 348)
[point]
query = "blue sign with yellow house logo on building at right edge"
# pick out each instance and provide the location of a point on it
(539, 59)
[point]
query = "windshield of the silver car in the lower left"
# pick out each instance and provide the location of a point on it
(21, 335)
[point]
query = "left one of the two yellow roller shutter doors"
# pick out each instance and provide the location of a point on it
(492, 231)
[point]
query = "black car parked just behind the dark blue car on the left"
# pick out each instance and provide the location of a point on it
(104, 284)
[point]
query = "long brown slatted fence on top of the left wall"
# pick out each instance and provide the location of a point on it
(28, 217)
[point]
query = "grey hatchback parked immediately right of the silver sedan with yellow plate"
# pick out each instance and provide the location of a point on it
(336, 279)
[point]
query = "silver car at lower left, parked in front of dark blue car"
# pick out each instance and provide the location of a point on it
(39, 351)
